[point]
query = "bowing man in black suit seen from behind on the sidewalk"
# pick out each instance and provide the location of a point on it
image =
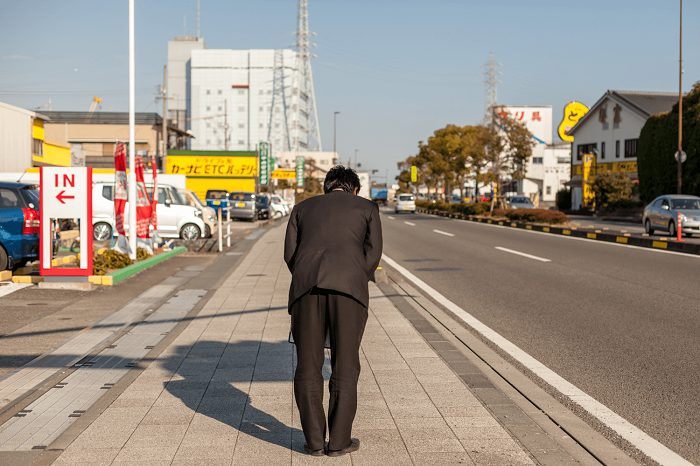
(332, 247)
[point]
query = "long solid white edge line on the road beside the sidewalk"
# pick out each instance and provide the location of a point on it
(643, 442)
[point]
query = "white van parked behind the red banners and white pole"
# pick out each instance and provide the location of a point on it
(175, 217)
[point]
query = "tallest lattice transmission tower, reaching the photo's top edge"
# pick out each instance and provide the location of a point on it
(304, 97)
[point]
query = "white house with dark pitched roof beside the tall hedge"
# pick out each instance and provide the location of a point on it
(610, 131)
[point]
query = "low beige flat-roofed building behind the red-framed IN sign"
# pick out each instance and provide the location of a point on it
(93, 136)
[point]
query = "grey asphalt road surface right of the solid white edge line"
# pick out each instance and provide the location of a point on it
(620, 323)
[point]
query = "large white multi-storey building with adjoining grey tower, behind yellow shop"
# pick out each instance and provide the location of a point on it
(236, 99)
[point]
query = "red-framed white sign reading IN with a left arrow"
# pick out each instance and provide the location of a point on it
(66, 193)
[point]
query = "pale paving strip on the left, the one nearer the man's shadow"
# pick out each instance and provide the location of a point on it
(46, 418)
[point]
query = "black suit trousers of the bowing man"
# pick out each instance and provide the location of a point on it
(345, 318)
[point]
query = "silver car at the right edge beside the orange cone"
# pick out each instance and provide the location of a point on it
(662, 214)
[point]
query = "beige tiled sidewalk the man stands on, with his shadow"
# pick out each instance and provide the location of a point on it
(222, 392)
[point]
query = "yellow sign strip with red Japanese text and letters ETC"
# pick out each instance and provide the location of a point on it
(211, 166)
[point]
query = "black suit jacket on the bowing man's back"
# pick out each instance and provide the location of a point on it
(334, 241)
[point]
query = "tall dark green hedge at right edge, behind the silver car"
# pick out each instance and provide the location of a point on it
(658, 142)
